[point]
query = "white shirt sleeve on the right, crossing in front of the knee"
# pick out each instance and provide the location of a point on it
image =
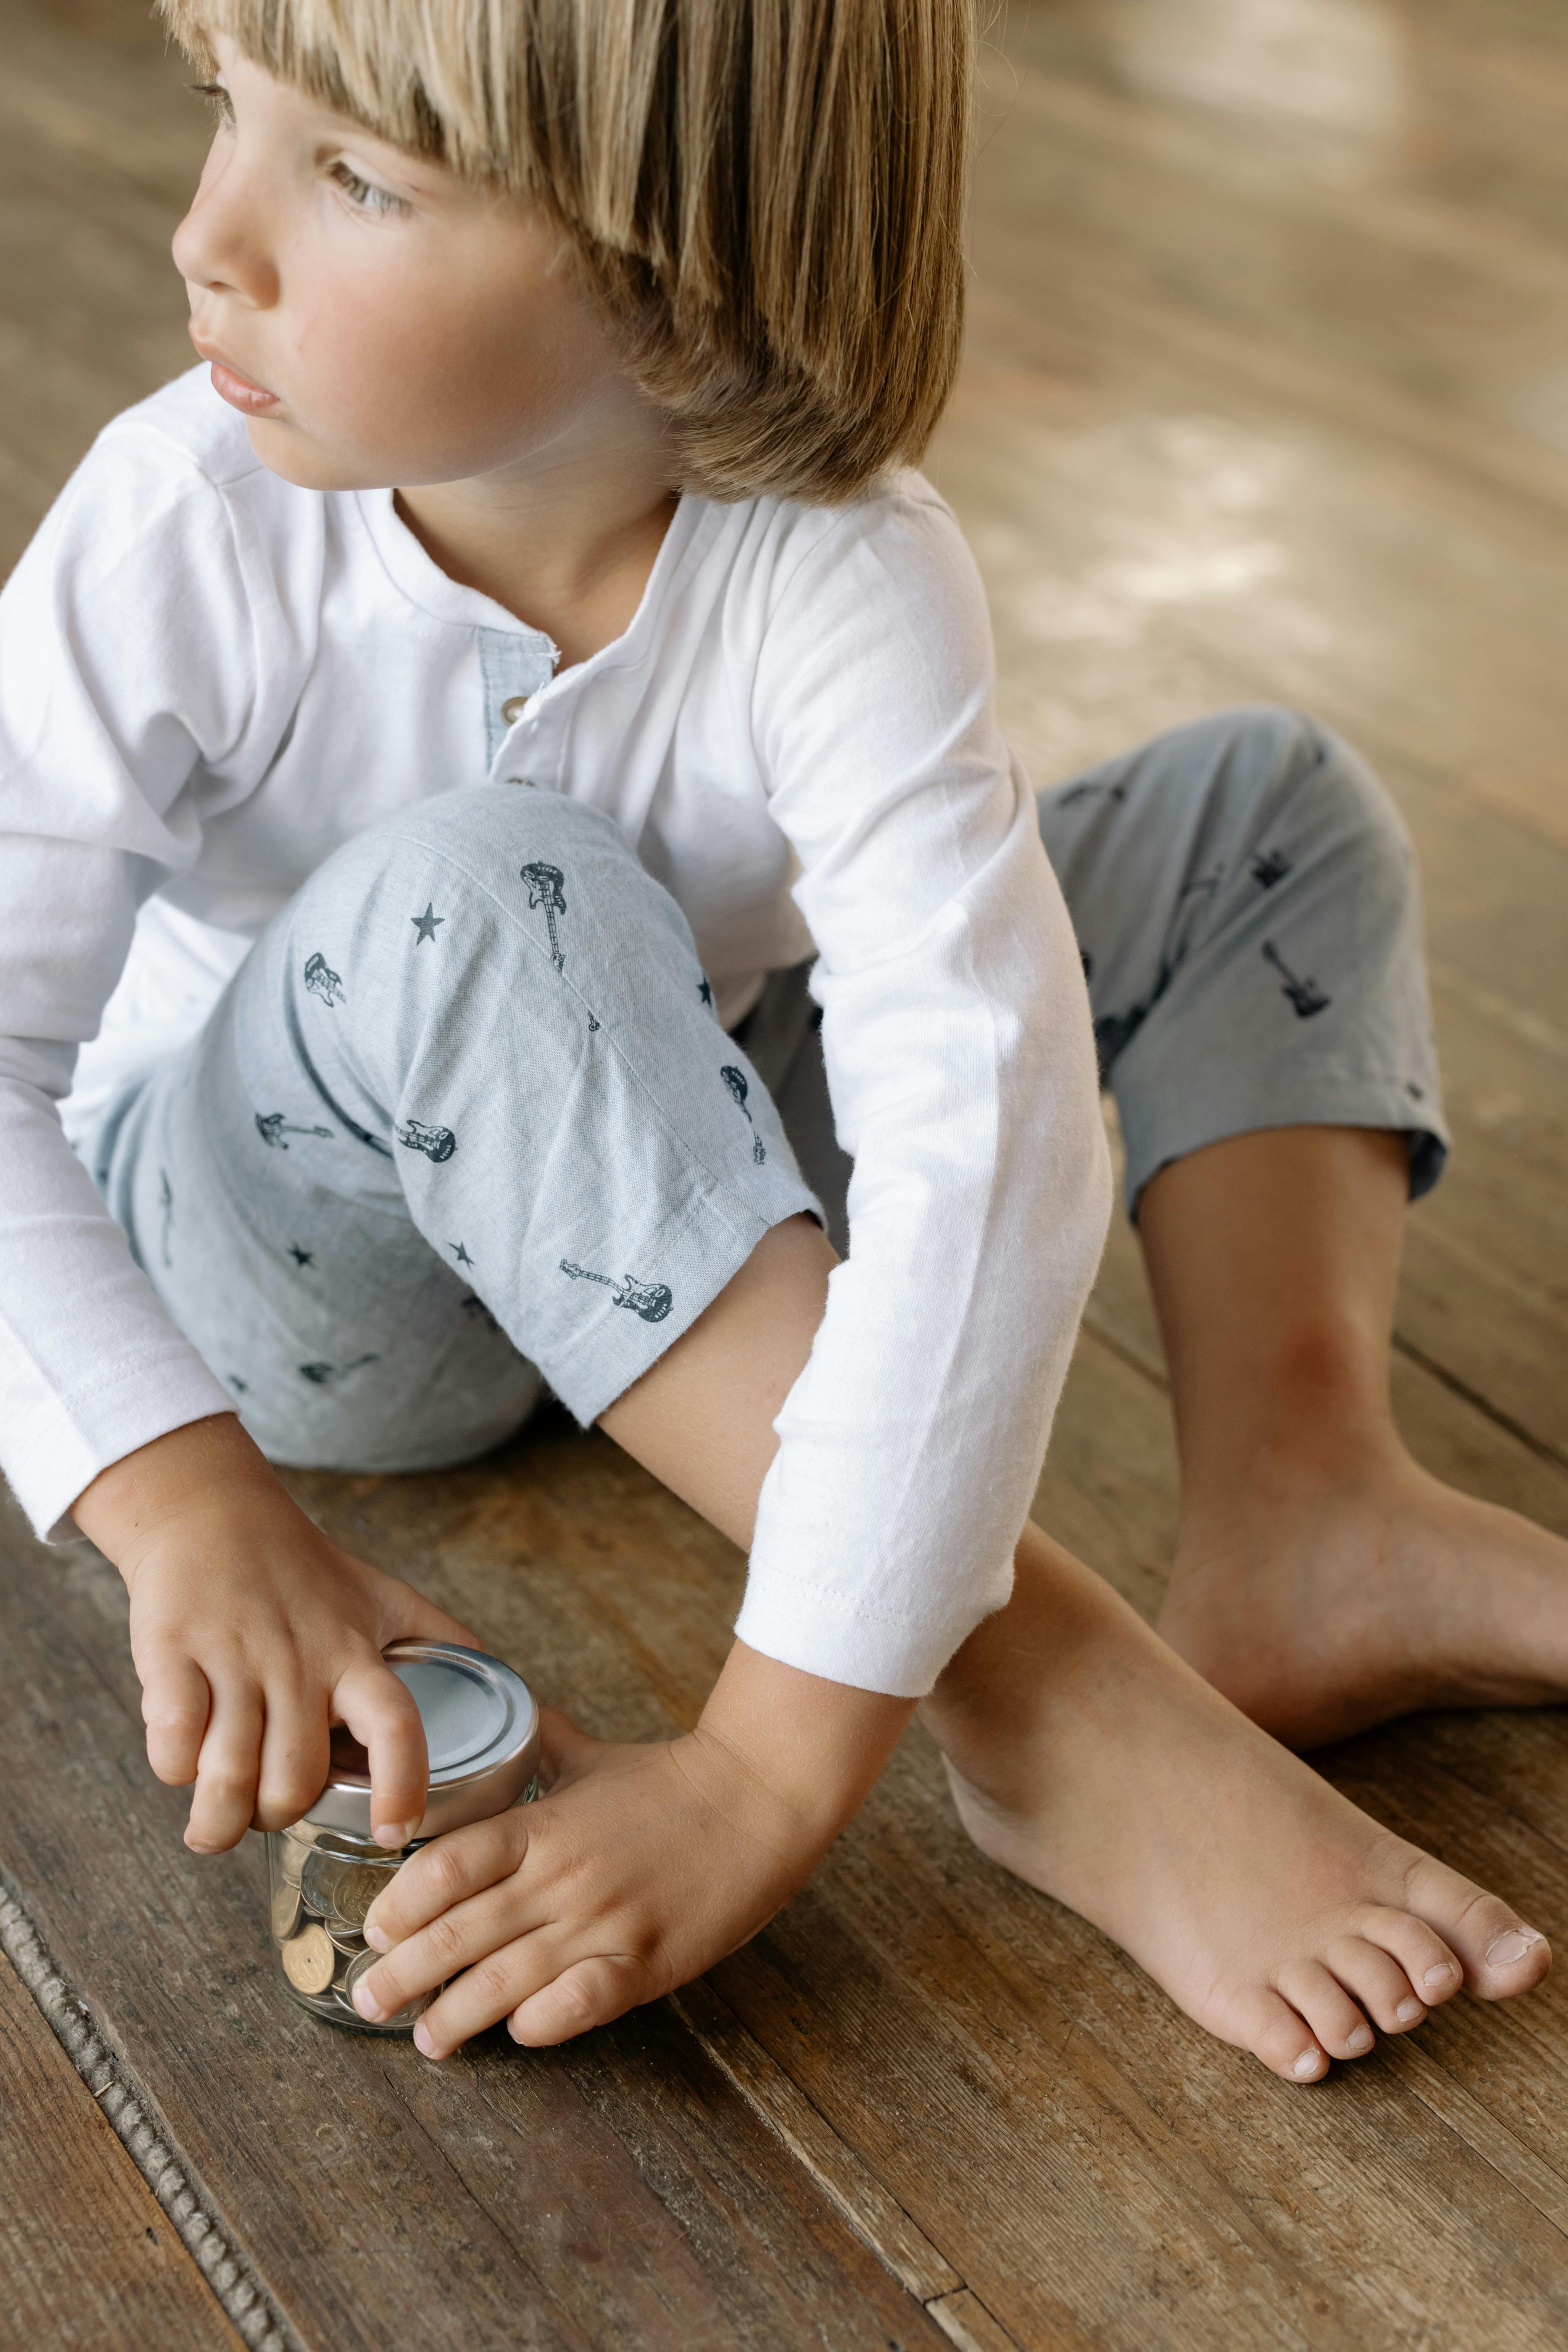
(963, 1078)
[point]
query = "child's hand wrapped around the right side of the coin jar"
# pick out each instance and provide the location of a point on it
(638, 1871)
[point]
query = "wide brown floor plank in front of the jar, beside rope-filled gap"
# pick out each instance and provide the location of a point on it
(615, 2193)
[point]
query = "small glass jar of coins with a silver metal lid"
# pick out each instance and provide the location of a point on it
(326, 1871)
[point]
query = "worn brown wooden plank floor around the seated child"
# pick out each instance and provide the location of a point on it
(1268, 399)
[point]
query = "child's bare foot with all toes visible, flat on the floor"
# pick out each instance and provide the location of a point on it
(1094, 1765)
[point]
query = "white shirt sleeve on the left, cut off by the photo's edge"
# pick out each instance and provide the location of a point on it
(126, 667)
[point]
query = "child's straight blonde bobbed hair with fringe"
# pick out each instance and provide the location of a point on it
(768, 196)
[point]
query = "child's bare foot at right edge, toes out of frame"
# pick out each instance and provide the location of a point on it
(1346, 1601)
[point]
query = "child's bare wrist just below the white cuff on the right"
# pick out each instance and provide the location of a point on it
(810, 1751)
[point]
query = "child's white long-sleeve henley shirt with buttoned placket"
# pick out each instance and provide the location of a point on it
(210, 679)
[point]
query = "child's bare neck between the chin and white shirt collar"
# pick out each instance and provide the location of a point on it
(565, 540)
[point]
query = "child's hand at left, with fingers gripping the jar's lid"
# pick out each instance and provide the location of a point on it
(253, 1636)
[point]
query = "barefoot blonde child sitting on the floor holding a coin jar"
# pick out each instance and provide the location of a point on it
(638, 312)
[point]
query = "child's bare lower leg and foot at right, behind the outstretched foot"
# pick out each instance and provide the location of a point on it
(1322, 1579)
